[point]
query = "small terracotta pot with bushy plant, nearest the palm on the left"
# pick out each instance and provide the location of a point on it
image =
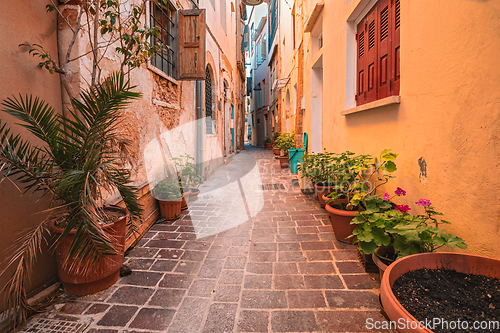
(169, 196)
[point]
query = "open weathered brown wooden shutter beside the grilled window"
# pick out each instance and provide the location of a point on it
(192, 44)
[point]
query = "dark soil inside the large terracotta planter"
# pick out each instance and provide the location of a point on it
(449, 296)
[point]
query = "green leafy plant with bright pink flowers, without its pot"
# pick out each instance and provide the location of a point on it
(384, 223)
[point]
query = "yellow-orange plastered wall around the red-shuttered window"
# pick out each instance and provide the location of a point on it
(449, 112)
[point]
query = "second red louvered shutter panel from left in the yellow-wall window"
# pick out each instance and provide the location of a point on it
(371, 55)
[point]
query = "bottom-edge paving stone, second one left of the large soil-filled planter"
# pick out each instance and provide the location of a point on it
(293, 321)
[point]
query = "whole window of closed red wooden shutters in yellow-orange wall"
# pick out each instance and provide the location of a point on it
(378, 68)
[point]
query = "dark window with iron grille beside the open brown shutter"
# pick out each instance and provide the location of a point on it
(163, 18)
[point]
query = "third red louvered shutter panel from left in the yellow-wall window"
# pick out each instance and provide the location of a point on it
(384, 52)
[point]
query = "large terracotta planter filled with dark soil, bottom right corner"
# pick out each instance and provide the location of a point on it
(462, 263)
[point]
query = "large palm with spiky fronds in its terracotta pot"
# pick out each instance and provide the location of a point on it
(79, 163)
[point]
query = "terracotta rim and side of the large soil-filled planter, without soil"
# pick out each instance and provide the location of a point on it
(463, 263)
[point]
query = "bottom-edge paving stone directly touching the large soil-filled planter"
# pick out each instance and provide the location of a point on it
(347, 321)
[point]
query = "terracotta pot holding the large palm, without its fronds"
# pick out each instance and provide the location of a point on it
(80, 281)
